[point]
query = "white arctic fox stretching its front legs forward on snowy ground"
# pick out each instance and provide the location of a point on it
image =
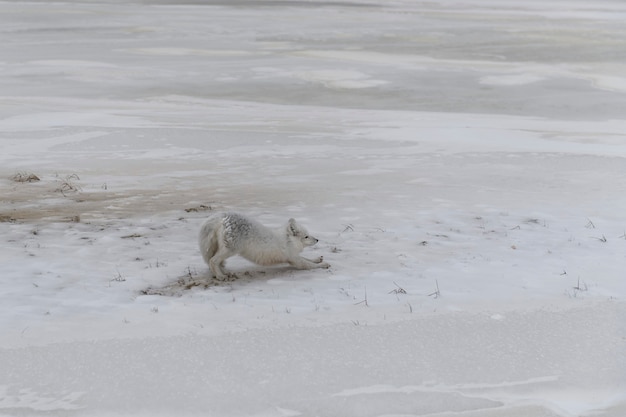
(228, 234)
